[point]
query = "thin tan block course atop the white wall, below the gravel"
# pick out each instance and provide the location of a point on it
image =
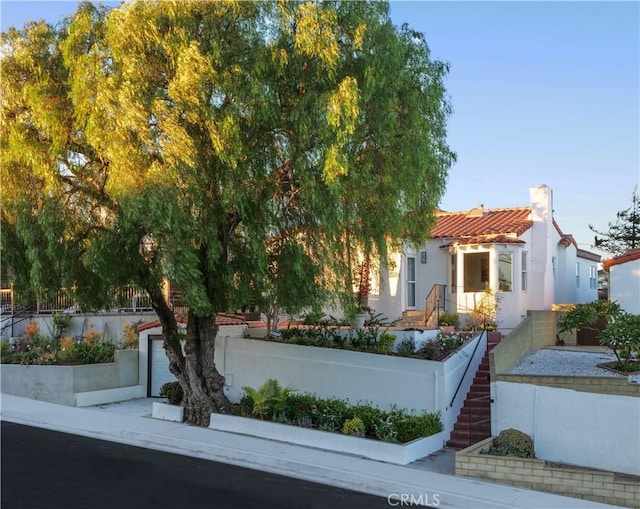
(599, 385)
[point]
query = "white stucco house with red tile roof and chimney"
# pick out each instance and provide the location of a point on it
(520, 253)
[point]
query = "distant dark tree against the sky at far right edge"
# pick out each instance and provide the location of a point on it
(624, 232)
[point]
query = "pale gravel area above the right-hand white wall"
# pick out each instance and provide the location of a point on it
(567, 363)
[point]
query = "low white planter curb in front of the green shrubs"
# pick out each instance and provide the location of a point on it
(400, 454)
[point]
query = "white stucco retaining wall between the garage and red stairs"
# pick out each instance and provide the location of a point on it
(412, 384)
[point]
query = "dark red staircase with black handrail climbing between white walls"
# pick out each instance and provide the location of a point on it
(474, 419)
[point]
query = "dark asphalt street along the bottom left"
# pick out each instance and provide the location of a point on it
(53, 470)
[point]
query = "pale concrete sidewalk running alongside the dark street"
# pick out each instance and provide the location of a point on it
(421, 481)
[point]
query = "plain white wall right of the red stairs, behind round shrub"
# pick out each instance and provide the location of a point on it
(579, 428)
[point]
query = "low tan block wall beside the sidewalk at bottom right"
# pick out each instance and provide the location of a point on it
(537, 474)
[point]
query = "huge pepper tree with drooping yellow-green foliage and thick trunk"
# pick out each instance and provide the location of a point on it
(238, 149)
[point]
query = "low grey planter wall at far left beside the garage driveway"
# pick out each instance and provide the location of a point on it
(75, 385)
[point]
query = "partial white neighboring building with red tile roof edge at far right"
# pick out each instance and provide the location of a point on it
(624, 280)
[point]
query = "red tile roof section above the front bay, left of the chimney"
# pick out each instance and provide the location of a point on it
(482, 222)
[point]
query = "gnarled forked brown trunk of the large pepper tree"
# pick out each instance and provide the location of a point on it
(194, 369)
